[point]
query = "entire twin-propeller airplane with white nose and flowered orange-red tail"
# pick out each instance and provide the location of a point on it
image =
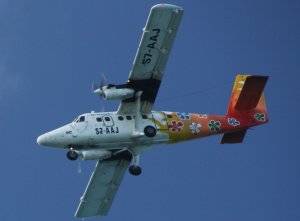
(117, 139)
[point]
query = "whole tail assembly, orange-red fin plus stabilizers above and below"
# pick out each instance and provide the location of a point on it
(247, 100)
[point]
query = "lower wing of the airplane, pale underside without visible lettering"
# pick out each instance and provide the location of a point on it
(102, 187)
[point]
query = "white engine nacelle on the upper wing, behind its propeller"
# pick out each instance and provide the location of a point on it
(114, 93)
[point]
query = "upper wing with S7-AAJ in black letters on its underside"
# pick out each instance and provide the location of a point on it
(152, 55)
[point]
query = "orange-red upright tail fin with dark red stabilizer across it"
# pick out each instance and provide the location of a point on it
(247, 94)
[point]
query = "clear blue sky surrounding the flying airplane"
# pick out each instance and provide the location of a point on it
(52, 51)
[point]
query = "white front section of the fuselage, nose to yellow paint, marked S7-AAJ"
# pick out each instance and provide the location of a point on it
(105, 130)
